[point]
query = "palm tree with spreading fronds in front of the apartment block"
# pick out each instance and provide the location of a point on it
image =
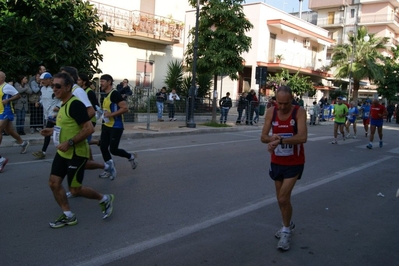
(359, 59)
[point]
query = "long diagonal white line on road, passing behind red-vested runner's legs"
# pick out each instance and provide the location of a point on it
(138, 247)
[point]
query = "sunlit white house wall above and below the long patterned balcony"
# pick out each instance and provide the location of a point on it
(121, 54)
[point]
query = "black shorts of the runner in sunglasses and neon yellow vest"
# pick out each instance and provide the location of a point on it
(73, 168)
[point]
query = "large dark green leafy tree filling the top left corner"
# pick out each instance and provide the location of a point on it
(54, 33)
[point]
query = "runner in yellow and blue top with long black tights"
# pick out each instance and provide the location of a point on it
(112, 129)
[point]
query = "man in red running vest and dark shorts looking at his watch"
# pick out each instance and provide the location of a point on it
(289, 133)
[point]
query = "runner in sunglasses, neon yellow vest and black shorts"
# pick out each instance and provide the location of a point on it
(73, 128)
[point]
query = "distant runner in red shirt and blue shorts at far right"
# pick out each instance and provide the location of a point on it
(377, 113)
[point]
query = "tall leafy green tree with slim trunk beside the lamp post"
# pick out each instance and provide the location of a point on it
(221, 40)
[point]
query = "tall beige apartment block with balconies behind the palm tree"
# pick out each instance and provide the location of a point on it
(342, 18)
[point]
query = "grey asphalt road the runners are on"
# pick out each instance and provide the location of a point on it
(207, 200)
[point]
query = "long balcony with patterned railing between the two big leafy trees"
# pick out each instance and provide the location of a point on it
(139, 25)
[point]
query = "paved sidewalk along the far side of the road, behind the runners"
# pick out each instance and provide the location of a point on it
(143, 130)
